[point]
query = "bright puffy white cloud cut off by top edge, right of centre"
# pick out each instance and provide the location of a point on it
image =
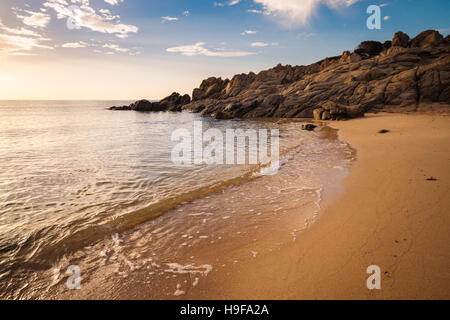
(294, 13)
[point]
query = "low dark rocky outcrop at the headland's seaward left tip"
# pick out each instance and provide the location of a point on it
(174, 102)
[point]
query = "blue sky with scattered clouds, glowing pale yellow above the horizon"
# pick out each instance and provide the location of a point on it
(147, 49)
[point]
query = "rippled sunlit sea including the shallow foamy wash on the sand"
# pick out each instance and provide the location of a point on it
(82, 185)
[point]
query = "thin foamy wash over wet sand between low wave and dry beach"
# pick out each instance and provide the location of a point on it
(181, 253)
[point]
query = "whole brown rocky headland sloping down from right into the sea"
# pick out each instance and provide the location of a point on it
(401, 75)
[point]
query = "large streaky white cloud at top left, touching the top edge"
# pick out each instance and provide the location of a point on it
(87, 17)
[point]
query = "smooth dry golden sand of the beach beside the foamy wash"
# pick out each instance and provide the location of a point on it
(388, 214)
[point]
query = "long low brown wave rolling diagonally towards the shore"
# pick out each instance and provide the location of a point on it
(45, 246)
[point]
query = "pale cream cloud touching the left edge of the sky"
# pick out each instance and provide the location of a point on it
(21, 41)
